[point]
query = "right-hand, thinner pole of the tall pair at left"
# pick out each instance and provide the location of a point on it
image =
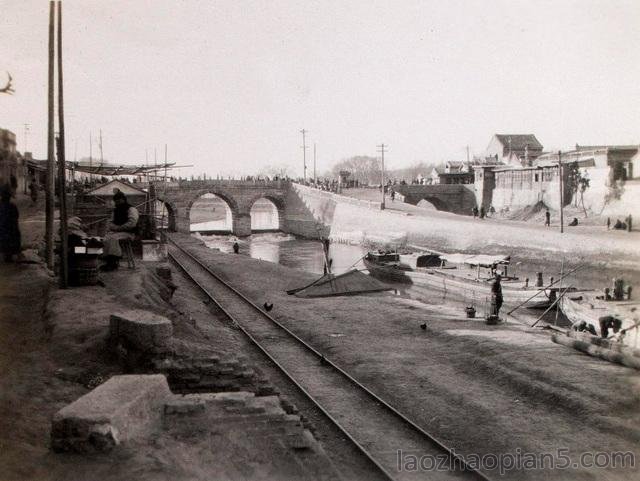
(62, 165)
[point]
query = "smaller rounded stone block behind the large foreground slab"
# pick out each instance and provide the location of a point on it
(141, 330)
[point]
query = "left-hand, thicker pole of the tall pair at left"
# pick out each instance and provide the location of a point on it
(50, 186)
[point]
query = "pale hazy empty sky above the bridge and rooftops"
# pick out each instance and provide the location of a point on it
(228, 85)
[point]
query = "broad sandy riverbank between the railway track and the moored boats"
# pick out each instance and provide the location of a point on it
(480, 389)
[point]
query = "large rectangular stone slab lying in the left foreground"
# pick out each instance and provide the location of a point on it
(123, 408)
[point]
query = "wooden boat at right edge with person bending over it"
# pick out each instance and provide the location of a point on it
(589, 307)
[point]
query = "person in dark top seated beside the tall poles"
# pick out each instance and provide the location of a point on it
(123, 226)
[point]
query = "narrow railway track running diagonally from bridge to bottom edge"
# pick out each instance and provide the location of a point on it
(376, 428)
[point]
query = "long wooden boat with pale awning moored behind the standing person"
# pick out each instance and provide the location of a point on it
(463, 275)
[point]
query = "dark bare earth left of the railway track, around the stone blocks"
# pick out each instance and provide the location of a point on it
(53, 350)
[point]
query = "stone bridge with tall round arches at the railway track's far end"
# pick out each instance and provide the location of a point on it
(178, 197)
